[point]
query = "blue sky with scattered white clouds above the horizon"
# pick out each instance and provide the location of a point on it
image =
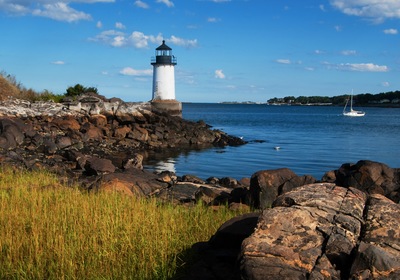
(227, 50)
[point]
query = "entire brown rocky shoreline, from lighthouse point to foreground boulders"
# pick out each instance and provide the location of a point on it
(344, 226)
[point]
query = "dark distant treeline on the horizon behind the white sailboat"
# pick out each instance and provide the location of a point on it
(385, 98)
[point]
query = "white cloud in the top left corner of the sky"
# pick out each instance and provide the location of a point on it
(56, 10)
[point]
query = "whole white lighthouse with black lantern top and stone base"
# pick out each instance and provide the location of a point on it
(163, 98)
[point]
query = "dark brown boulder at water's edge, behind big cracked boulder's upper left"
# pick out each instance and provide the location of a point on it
(267, 185)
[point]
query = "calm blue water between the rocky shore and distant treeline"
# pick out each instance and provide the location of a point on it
(312, 140)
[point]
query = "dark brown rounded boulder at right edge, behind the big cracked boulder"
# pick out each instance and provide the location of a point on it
(371, 177)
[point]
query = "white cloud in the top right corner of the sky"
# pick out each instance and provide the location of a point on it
(378, 10)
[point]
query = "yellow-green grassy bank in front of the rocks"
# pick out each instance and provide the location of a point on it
(48, 231)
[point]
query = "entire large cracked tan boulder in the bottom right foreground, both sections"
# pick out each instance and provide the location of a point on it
(324, 231)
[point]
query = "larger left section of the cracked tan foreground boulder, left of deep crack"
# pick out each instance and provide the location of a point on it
(310, 228)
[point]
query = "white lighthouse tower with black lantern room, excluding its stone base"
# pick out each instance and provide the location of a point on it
(163, 73)
